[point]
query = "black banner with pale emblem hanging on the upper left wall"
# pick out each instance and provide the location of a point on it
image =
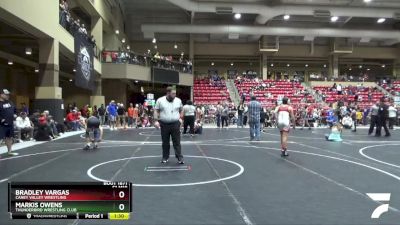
(84, 75)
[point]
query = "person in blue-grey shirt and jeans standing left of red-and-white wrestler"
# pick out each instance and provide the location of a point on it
(254, 118)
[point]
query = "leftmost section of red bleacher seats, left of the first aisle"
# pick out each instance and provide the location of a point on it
(205, 93)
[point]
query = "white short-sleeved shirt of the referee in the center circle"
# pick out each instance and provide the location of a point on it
(169, 111)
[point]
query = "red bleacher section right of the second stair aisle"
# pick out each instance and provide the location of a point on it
(363, 101)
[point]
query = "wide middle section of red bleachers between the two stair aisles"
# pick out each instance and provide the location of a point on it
(276, 89)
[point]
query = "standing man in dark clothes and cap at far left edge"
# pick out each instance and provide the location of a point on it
(7, 113)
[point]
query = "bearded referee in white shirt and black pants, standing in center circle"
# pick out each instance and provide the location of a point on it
(167, 115)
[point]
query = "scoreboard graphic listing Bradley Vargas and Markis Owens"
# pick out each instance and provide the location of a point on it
(70, 200)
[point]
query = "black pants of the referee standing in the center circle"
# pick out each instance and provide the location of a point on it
(171, 130)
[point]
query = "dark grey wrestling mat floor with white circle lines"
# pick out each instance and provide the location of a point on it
(226, 178)
